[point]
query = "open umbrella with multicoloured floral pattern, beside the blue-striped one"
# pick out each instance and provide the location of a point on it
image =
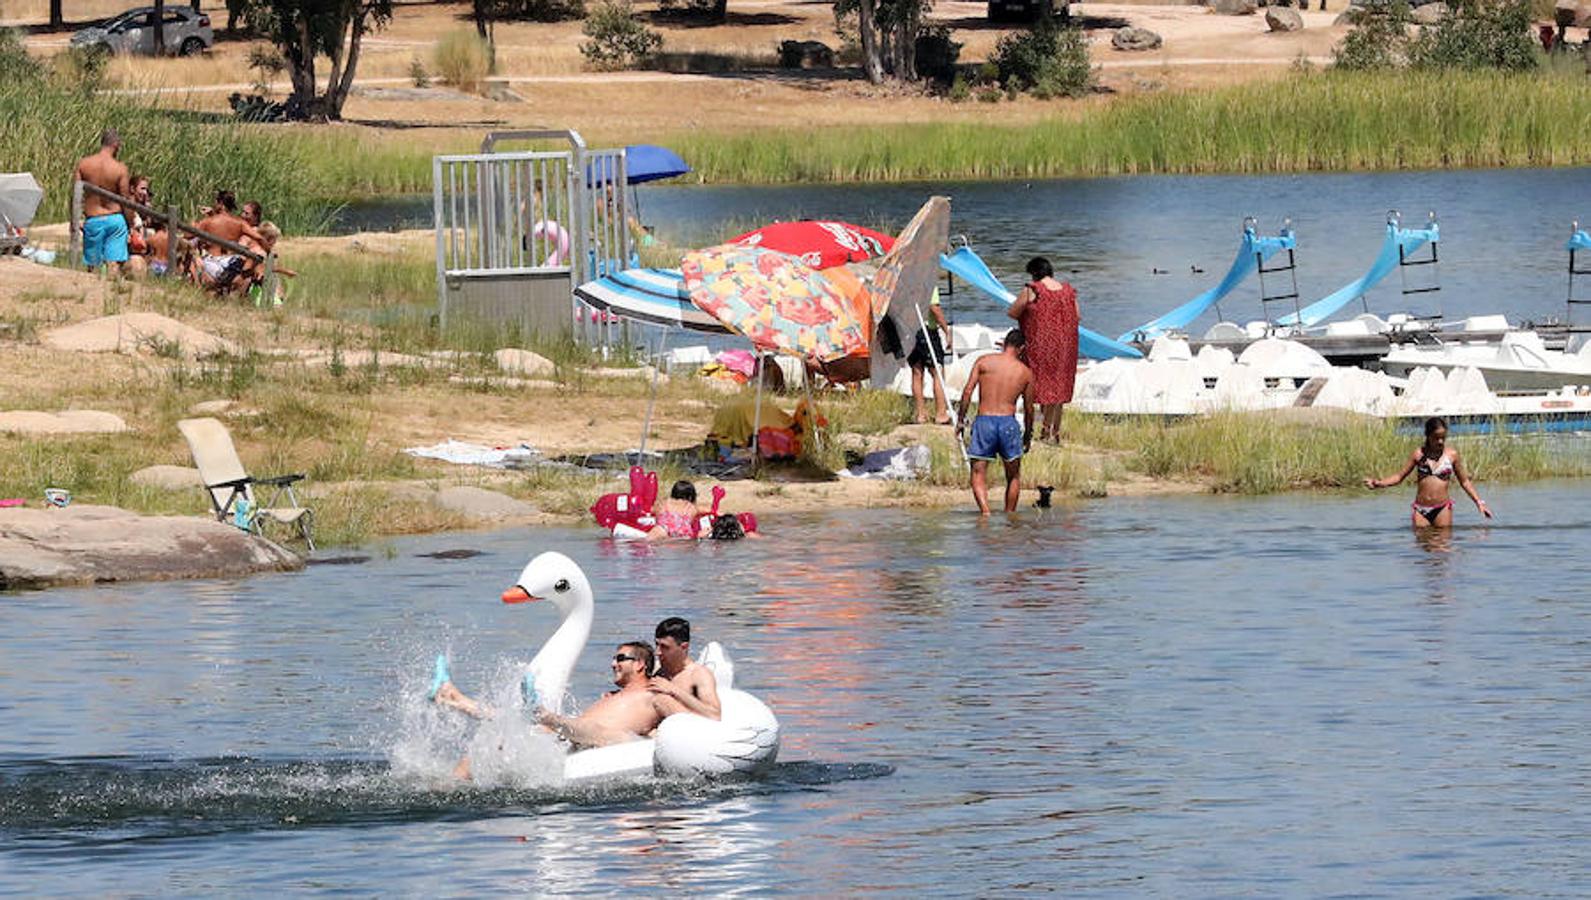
(774, 300)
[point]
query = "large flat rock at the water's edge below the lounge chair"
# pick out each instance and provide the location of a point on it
(88, 545)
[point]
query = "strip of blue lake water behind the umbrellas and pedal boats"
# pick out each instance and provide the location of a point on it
(1503, 233)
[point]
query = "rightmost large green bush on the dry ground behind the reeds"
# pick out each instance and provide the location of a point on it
(1479, 36)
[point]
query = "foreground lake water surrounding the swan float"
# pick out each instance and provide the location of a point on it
(1132, 697)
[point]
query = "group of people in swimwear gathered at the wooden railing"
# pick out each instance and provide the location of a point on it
(126, 241)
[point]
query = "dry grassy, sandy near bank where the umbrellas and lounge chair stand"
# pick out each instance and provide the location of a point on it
(351, 371)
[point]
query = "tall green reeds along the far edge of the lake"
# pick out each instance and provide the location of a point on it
(1304, 123)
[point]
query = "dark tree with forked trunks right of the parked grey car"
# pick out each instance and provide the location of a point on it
(309, 29)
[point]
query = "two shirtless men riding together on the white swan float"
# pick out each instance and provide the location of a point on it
(650, 686)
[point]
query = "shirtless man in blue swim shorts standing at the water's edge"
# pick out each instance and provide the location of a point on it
(1000, 379)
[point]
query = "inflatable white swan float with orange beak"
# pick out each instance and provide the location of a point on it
(744, 740)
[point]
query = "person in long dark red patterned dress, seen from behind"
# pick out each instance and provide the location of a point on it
(1048, 311)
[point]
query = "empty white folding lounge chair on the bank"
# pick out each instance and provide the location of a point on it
(228, 484)
